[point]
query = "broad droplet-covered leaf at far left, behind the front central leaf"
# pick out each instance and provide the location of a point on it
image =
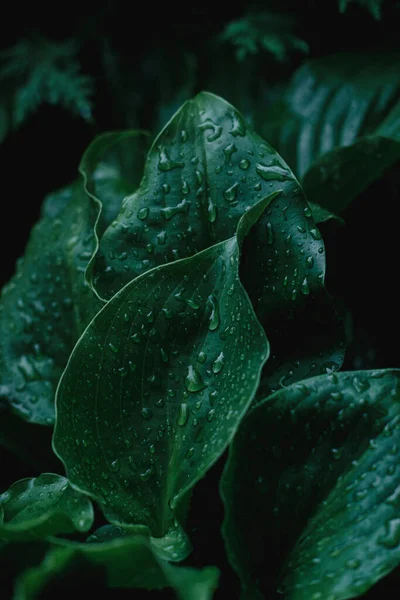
(46, 305)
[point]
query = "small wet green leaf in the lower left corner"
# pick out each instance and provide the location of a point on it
(43, 506)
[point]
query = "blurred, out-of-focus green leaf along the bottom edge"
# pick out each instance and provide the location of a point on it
(124, 562)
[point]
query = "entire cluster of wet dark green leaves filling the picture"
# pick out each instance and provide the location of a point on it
(171, 306)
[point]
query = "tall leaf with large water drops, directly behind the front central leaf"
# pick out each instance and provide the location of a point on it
(211, 166)
